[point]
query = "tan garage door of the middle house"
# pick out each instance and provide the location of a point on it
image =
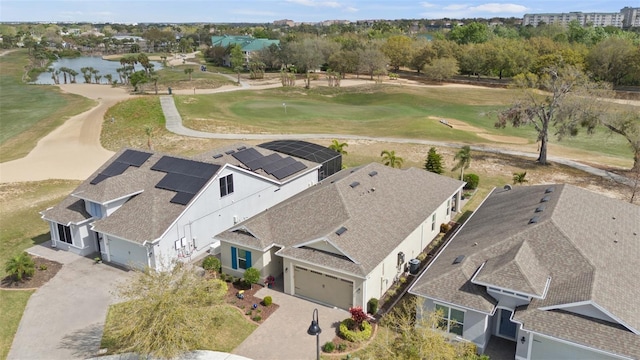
(323, 288)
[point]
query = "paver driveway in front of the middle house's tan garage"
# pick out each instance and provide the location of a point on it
(283, 335)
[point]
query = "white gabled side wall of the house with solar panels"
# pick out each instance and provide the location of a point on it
(210, 214)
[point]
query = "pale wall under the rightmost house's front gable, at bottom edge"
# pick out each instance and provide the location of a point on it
(544, 348)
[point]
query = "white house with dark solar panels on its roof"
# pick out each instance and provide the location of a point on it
(147, 209)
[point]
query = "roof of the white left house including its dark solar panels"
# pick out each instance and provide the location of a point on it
(158, 191)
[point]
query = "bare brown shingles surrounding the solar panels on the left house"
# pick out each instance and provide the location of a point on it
(149, 212)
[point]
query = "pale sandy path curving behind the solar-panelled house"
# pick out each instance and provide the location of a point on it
(73, 150)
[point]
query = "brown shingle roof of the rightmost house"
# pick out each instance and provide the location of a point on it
(588, 244)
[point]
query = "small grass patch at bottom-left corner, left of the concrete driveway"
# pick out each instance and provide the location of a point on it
(12, 304)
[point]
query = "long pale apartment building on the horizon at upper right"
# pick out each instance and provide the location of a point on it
(626, 18)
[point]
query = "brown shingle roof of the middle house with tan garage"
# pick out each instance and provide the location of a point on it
(377, 205)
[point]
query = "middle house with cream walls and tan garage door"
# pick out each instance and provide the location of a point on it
(347, 239)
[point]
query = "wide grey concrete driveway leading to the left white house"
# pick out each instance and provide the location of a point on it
(64, 319)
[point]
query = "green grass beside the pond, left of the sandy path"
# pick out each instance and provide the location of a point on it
(29, 112)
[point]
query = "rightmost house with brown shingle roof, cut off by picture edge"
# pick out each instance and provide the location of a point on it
(553, 269)
